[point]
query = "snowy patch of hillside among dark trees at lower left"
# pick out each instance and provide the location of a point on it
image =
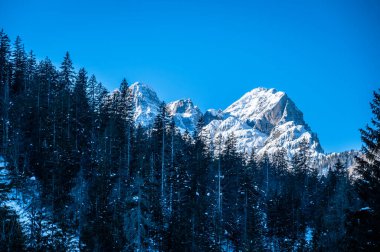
(23, 199)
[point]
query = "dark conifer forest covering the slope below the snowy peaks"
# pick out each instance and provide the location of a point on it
(120, 187)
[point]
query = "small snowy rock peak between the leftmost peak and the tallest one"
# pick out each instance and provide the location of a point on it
(185, 114)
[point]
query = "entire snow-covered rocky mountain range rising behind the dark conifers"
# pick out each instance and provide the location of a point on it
(265, 120)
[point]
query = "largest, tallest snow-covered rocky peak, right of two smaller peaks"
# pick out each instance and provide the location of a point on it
(264, 120)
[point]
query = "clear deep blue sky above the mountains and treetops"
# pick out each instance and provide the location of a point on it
(324, 54)
